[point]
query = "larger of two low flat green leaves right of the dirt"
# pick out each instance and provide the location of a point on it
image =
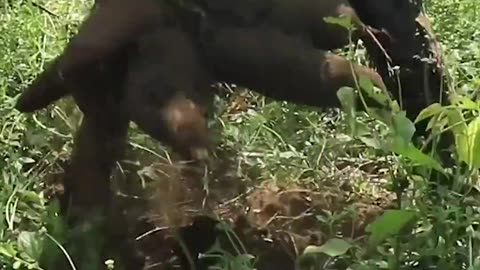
(388, 224)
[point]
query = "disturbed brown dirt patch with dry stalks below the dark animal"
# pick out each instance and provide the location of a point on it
(273, 223)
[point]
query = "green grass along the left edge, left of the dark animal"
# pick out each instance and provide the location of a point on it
(30, 146)
